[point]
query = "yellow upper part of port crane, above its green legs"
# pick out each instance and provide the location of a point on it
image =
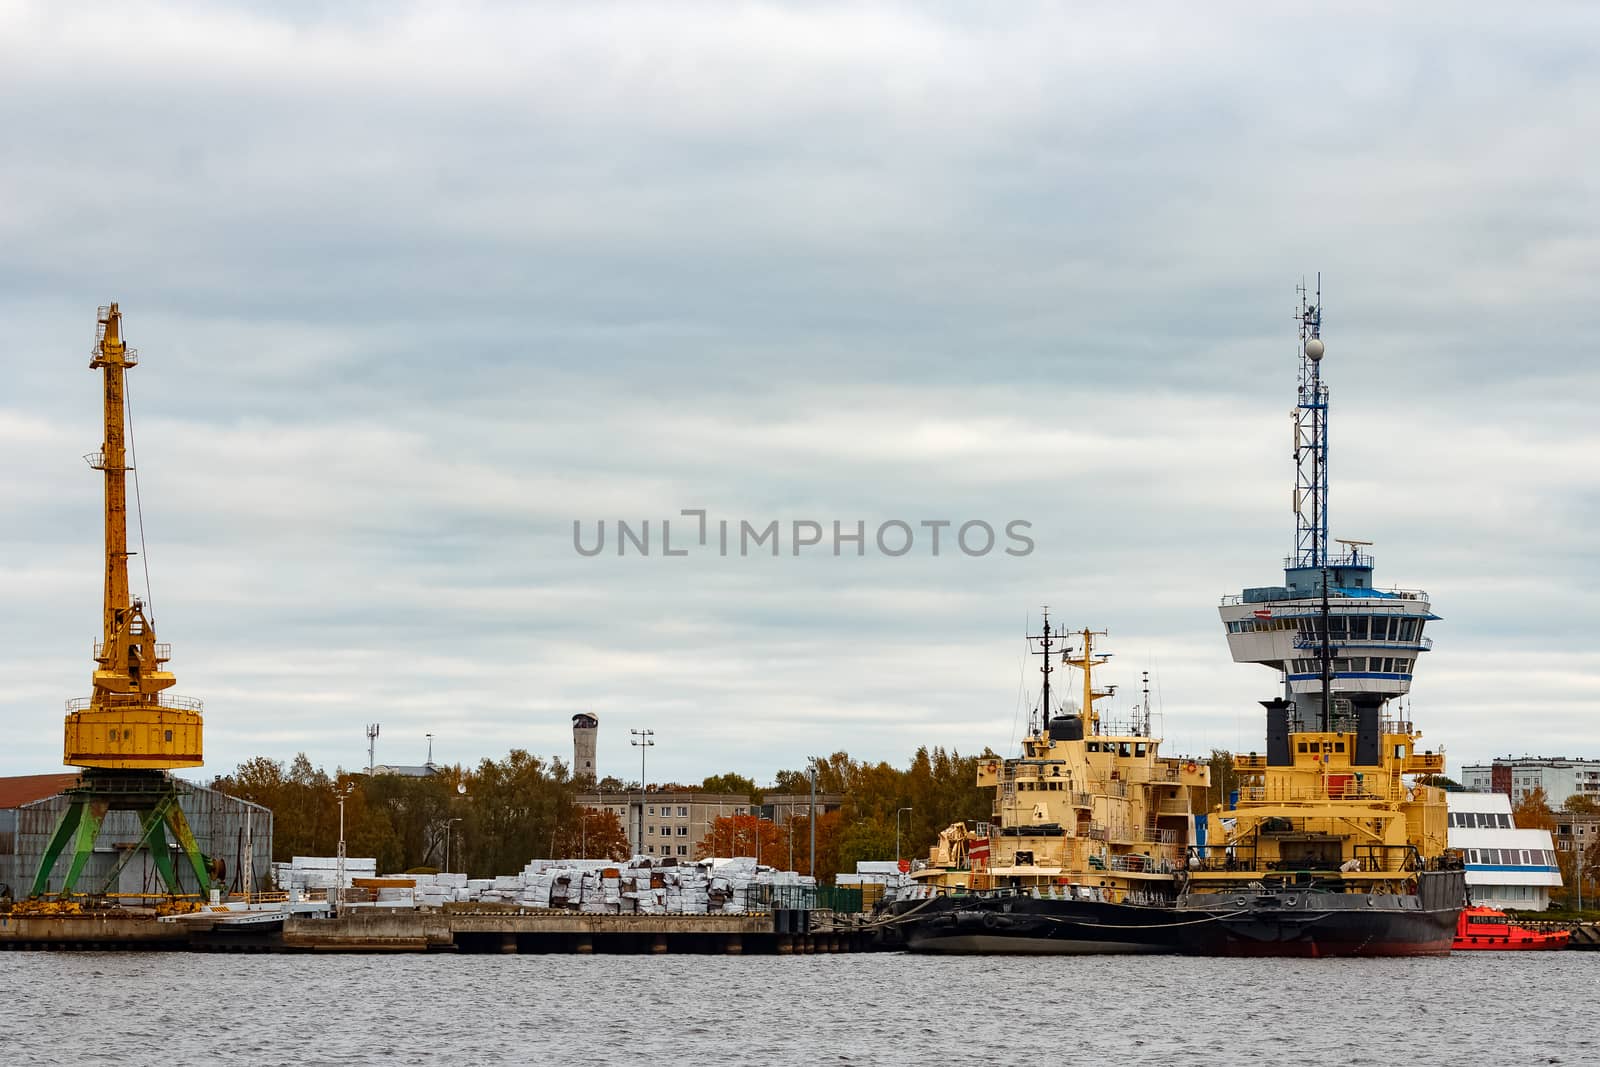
(129, 722)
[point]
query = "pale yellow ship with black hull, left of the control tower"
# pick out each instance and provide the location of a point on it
(1084, 845)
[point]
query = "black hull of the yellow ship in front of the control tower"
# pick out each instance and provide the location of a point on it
(1318, 924)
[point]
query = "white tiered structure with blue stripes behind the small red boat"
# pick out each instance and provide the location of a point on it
(1506, 868)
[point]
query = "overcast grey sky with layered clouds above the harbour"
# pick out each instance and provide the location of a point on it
(418, 287)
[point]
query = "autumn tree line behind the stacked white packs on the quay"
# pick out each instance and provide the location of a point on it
(494, 818)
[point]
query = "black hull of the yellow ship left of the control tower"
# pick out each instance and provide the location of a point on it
(1020, 925)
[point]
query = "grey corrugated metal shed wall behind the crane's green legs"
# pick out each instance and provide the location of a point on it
(220, 825)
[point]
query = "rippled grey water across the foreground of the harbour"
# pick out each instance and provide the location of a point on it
(630, 1012)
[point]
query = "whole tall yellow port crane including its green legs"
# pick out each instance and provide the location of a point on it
(129, 733)
